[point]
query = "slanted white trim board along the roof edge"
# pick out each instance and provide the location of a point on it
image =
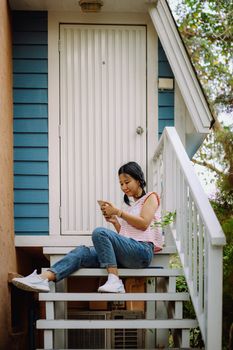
(181, 66)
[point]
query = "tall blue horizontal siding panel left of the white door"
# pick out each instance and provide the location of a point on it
(30, 84)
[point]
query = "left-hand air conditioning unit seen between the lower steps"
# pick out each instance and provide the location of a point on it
(89, 338)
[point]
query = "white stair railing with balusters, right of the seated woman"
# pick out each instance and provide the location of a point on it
(196, 231)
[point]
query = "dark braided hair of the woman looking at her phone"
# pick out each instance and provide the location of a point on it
(135, 171)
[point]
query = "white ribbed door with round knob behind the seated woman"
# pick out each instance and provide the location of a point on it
(103, 102)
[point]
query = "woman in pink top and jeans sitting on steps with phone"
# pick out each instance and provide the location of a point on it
(132, 246)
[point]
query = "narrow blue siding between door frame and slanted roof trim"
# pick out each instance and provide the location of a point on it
(166, 98)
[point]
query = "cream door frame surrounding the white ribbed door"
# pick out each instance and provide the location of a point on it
(54, 20)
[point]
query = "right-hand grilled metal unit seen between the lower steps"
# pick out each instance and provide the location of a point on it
(127, 338)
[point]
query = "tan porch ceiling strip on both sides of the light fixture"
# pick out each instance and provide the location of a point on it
(73, 5)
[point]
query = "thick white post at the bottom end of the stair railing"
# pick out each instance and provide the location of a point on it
(214, 298)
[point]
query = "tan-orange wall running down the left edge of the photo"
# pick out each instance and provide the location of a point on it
(7, 250)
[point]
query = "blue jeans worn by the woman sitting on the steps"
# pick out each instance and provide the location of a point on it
(110, 250)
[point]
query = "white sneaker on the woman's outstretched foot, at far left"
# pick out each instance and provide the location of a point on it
(32, 283)
